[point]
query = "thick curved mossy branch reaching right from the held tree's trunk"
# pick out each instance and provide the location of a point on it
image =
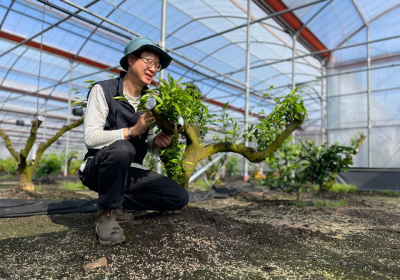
(250, 153)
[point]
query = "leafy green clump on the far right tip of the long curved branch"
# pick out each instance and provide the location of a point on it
(268, 129)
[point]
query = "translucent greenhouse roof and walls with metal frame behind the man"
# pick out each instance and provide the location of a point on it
(340, 54)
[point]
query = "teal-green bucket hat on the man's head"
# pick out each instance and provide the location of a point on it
(140, 43)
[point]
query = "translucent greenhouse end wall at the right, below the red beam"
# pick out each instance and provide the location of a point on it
(348, 109)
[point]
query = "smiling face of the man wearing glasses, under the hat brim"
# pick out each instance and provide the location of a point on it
(140, 67)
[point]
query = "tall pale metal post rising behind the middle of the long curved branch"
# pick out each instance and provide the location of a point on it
(246, 114)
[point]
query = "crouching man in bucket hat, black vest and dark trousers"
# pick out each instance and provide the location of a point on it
(118, 136)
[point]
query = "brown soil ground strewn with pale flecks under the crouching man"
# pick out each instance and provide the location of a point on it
(249, 236)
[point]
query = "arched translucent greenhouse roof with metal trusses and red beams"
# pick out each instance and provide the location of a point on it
(49, 48)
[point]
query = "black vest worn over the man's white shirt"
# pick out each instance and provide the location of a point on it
(121, 114)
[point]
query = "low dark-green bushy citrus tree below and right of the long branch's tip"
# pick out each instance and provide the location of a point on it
(292, 166)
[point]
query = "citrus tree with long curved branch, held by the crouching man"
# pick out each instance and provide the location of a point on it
(180, 111)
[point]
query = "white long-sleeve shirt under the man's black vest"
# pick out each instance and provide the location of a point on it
(95, 120)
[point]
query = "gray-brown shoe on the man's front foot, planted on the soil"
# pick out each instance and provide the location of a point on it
(108, 229)
